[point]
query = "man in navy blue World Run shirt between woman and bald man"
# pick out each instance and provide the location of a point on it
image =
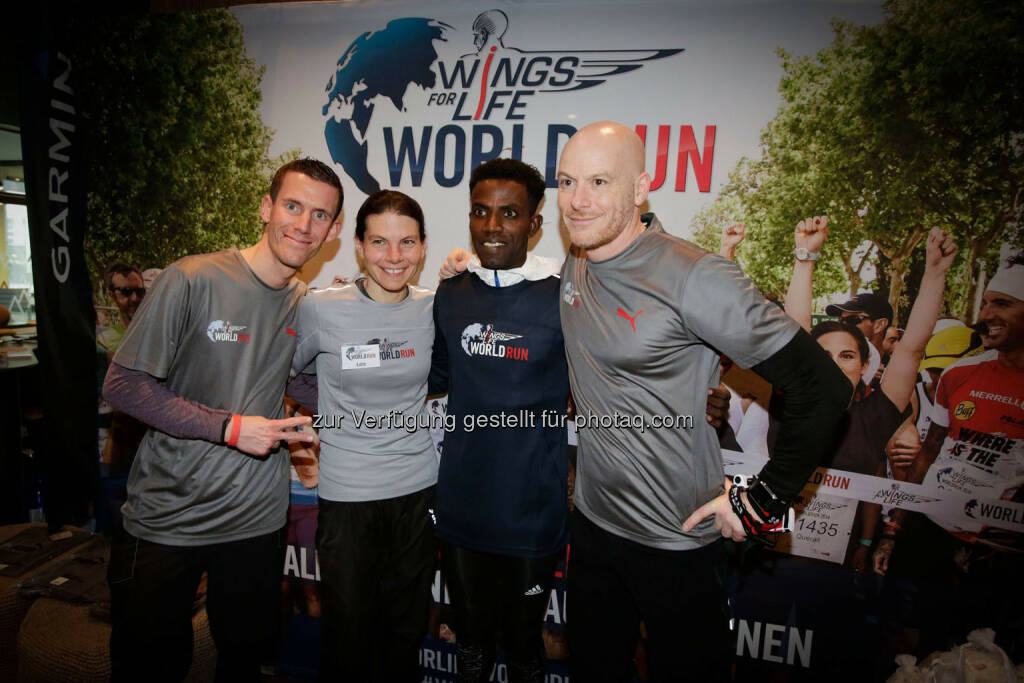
(502, 489)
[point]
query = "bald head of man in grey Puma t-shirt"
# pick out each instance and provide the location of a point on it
(602, 187)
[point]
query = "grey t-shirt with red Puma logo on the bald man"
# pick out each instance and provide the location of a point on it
(644, 333)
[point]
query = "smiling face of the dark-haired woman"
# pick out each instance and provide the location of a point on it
(392, 251)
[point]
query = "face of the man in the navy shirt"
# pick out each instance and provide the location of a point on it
(501, 224)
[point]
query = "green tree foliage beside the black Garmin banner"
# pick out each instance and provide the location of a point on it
(178, 153)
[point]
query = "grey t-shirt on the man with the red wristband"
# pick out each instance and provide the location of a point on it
(222, 337)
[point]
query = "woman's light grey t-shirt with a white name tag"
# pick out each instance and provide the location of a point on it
(372, 365)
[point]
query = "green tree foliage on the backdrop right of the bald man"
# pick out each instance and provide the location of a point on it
(890, 131)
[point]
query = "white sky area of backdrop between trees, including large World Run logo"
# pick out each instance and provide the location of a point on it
(413, 96)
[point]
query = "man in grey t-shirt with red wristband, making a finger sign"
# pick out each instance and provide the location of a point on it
(205, 364)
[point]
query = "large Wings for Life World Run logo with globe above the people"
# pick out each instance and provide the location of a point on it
(491, 83)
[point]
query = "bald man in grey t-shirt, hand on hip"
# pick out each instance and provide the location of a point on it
(646, 318)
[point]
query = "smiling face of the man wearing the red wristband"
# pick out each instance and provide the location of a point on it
(300, 222)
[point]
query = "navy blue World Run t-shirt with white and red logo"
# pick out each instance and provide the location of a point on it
(500, 355)
